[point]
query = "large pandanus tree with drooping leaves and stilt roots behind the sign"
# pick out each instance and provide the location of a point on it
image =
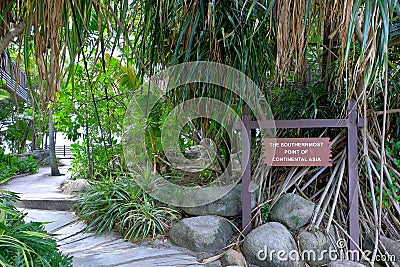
(311, 58)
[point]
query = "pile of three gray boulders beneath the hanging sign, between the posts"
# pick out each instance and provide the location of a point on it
(274, 244)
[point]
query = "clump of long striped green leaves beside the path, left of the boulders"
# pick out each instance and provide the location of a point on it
(124, 206)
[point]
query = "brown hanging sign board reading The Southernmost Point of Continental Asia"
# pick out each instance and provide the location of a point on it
(297, 152)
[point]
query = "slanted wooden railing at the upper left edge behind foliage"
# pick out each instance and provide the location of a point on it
(14, 77)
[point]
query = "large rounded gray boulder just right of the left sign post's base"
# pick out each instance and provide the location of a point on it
(271, 245)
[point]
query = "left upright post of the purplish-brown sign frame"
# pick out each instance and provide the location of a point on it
(246, 178)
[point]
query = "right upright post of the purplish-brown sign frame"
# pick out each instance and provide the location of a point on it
(353, 183)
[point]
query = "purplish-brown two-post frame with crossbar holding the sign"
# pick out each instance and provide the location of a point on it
(351, 123)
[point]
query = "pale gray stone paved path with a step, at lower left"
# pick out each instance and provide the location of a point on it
(42, 199)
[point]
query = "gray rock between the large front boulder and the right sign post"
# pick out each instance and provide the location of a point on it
(317, 248)
